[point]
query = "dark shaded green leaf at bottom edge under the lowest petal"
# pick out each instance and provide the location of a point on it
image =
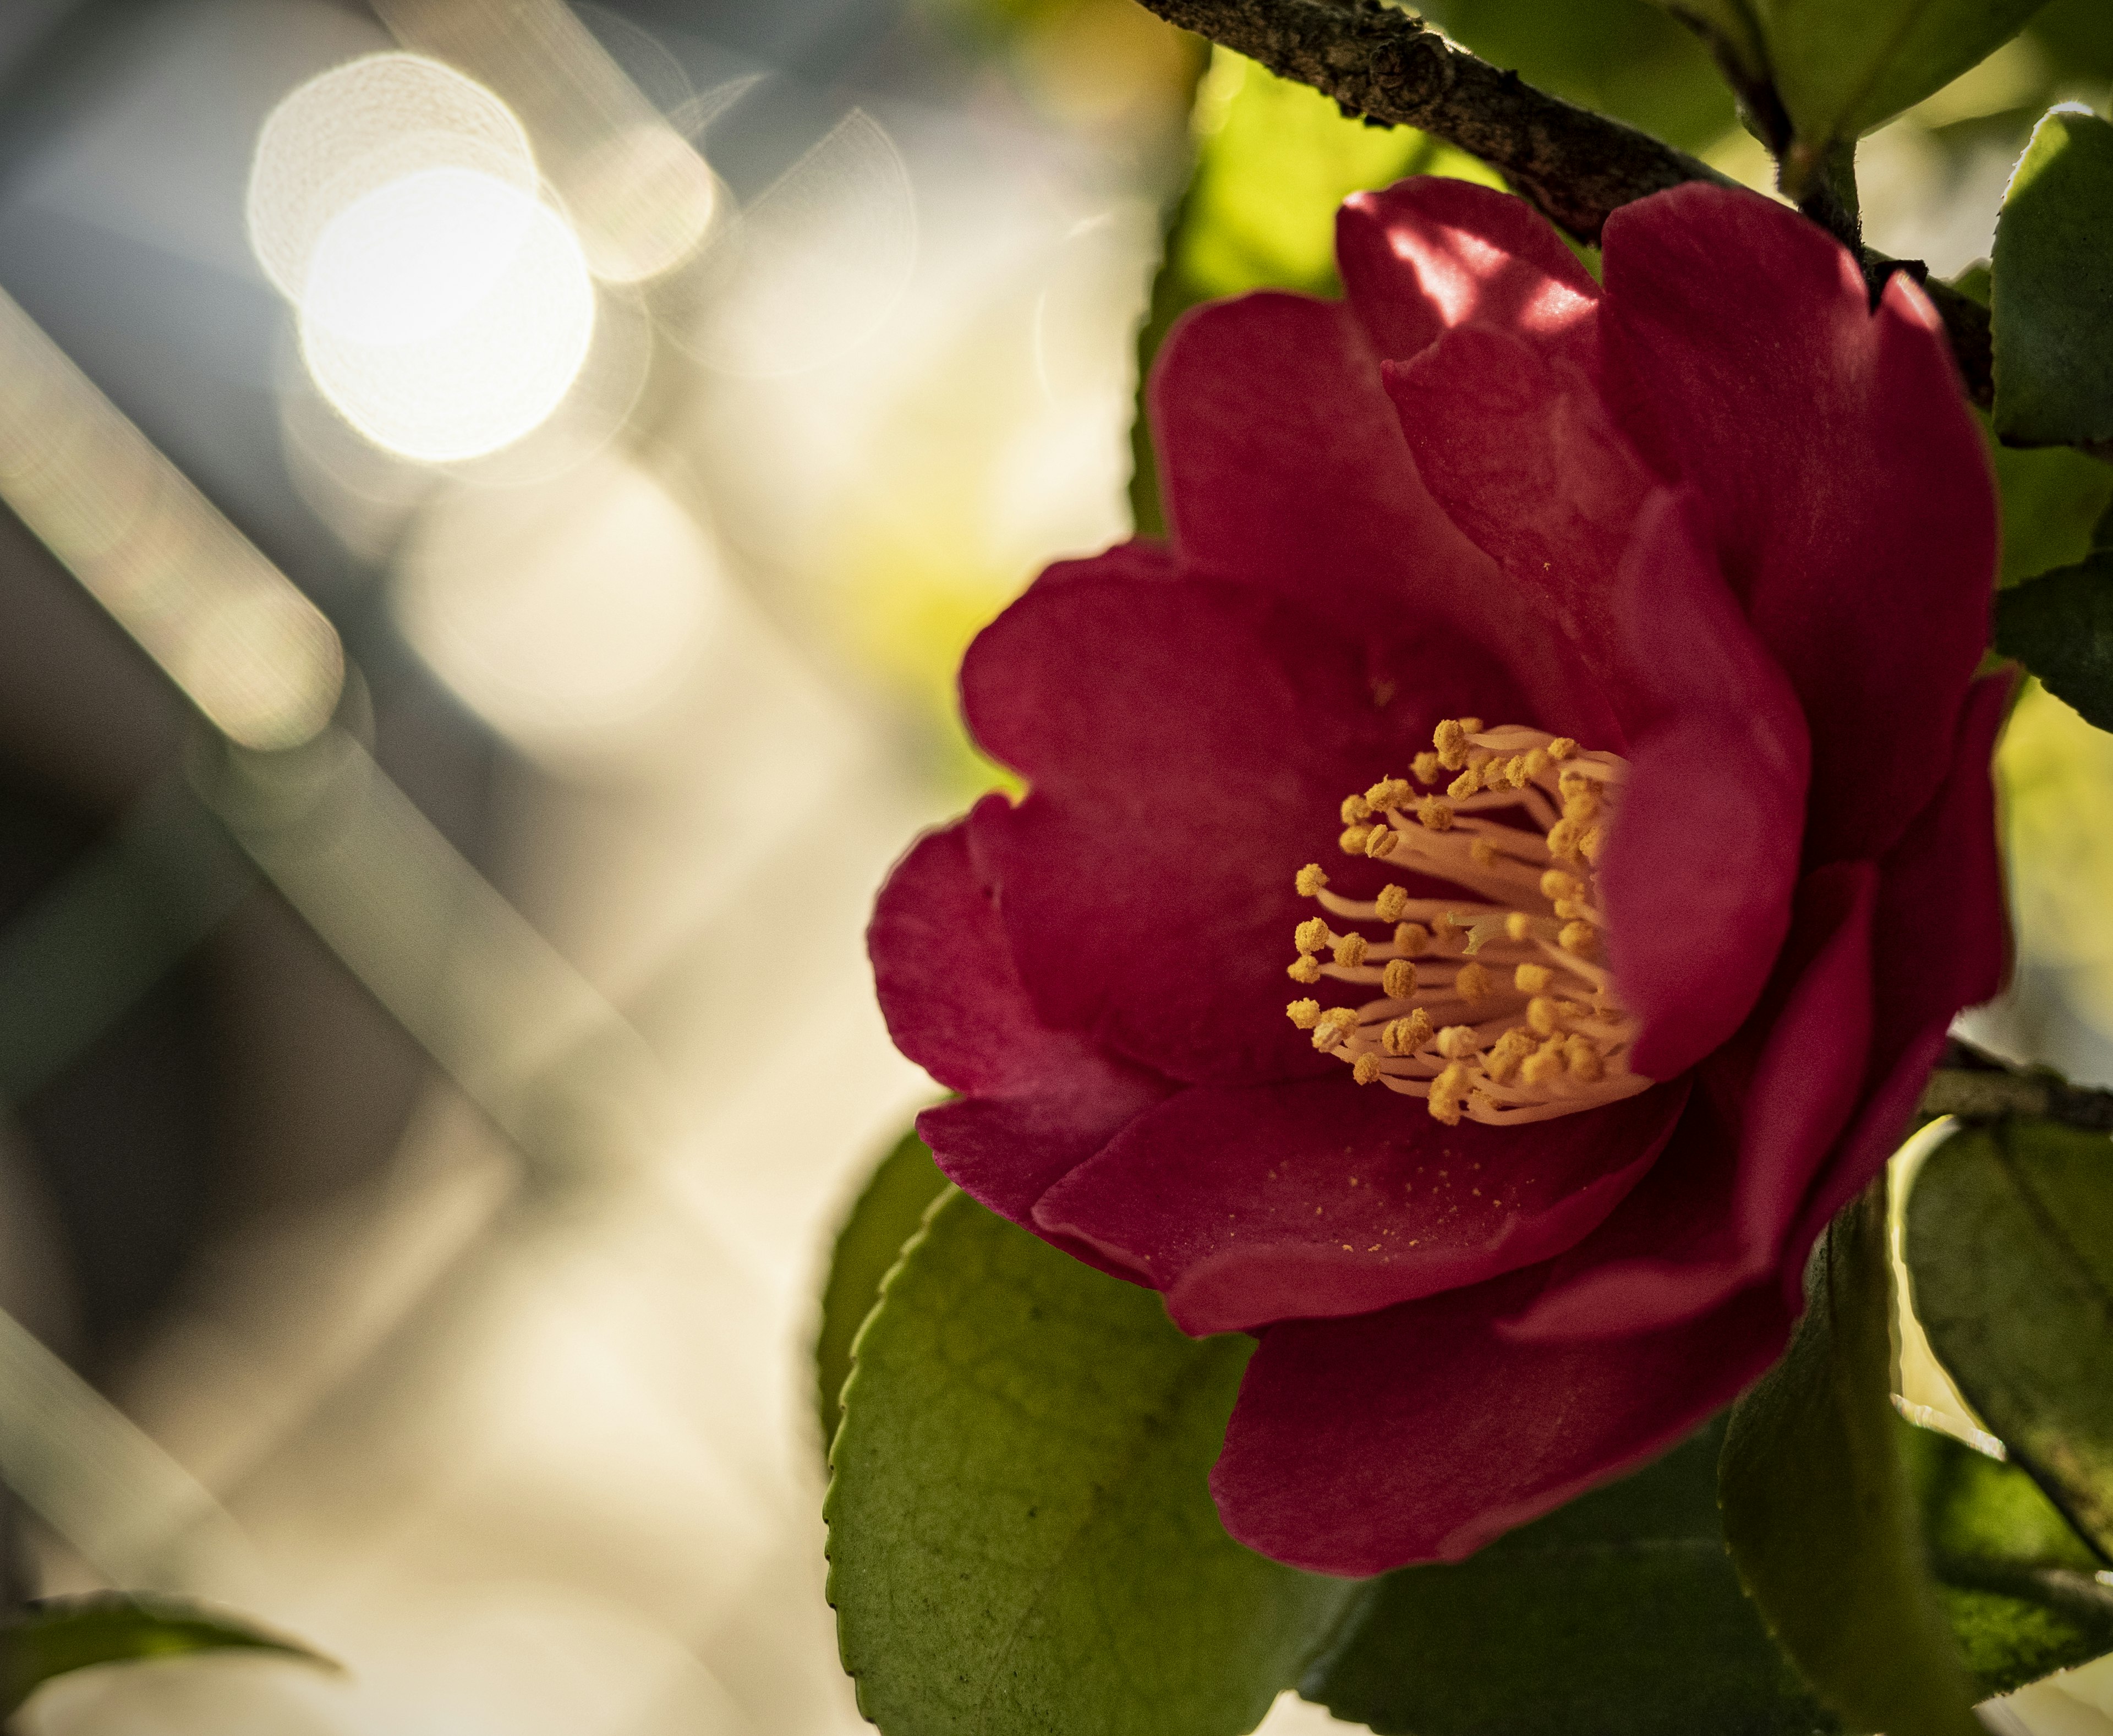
(1615, 1617)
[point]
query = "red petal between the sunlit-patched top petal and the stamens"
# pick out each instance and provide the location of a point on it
(1520, 451)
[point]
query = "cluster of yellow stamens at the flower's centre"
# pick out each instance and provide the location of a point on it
(1493, 1004)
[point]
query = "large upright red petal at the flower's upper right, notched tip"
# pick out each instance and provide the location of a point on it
(1848, 487)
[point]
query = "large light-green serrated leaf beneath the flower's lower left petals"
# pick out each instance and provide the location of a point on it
(1022, 1530)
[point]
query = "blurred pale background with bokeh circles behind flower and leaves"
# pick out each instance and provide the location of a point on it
(498, 493)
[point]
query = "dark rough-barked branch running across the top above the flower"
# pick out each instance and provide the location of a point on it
(1577, 168)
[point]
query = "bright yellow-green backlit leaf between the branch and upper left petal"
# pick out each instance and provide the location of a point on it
(1273, 164)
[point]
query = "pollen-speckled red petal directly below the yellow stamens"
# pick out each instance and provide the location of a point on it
(1271, 1203)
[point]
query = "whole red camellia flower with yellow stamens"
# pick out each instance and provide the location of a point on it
(1575, 690)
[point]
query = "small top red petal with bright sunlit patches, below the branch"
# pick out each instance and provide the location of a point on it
(1429, 254)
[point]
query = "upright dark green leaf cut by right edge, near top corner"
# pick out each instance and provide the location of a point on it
(2055, 286)
